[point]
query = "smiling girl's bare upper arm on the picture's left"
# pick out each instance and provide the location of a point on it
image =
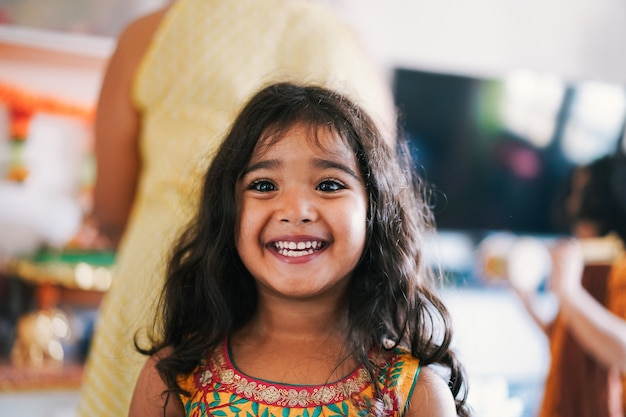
(149, 398)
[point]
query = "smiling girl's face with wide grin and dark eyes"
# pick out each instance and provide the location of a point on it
(301, 215)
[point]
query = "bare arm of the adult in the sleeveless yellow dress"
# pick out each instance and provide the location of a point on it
(117, 129)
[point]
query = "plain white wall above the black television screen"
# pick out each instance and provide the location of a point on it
(581, 39)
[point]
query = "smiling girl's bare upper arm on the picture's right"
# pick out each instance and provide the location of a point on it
(431, 396)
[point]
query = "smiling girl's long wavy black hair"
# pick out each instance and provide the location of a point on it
(391, 296)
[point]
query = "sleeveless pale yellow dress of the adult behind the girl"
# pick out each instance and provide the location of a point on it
(206, 59)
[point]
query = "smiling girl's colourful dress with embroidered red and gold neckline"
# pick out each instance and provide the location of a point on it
(218, 389)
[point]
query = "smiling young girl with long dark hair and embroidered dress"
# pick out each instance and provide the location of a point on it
(300, 290)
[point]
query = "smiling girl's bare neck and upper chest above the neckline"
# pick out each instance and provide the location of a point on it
(296, 344)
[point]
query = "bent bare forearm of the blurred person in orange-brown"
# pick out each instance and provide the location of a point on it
(598, 331)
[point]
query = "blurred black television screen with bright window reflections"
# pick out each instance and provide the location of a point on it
(498, 151)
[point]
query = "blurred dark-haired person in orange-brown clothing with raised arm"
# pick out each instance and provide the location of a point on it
(588, 278)
